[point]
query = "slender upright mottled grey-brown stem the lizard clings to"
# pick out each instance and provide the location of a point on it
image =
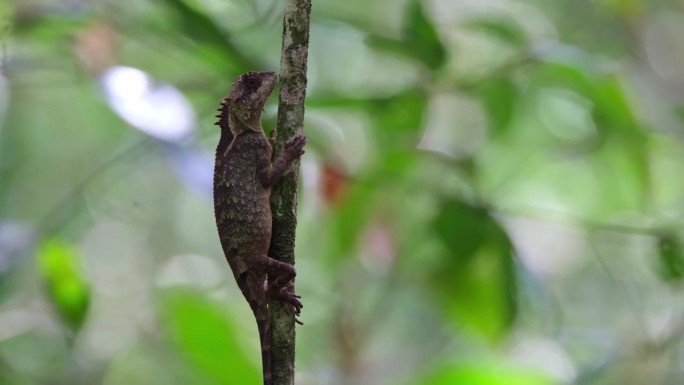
(284, 197)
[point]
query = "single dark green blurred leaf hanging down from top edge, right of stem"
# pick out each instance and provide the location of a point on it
(420, 34)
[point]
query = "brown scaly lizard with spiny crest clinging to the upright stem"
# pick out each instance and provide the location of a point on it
(244, 174)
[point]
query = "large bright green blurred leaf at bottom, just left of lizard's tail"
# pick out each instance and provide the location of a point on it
(204, 333)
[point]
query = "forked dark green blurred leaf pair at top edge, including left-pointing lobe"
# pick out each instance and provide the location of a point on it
(419, 40)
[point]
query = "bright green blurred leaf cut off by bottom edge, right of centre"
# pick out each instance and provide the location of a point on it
(493, 374)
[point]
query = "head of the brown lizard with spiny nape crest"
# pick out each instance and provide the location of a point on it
(247, 99)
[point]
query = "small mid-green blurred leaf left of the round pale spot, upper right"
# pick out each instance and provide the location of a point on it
(498, 97)
